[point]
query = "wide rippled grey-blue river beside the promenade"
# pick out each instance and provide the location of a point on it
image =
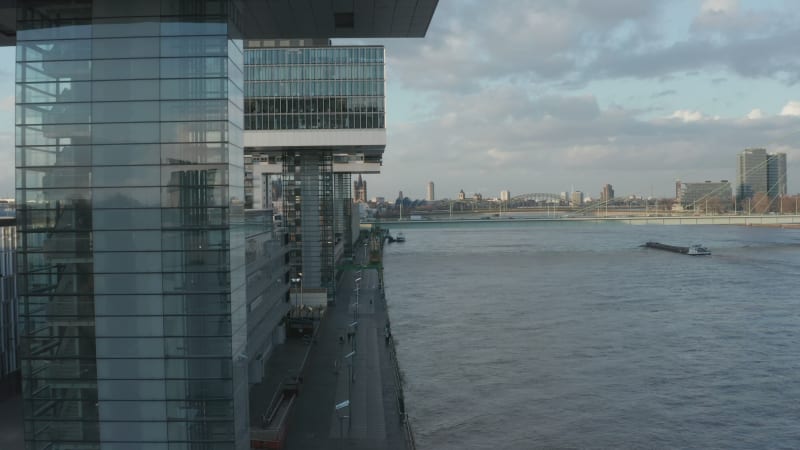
(551, 335)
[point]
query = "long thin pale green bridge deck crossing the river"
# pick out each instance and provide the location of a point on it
(751, 220)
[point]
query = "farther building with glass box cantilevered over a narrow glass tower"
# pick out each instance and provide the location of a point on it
(314, 114)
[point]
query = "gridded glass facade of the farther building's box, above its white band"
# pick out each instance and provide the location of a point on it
(314, 88)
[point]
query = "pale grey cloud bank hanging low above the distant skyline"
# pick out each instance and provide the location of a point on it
(537, 147)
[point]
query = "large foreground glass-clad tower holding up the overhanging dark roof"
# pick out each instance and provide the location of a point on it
(130, 188)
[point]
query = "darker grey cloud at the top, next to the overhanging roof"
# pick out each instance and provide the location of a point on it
(470, 43)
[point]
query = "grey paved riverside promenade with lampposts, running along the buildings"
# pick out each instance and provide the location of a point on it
(371, 421)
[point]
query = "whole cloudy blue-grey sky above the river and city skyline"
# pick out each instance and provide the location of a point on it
(550, 96)
